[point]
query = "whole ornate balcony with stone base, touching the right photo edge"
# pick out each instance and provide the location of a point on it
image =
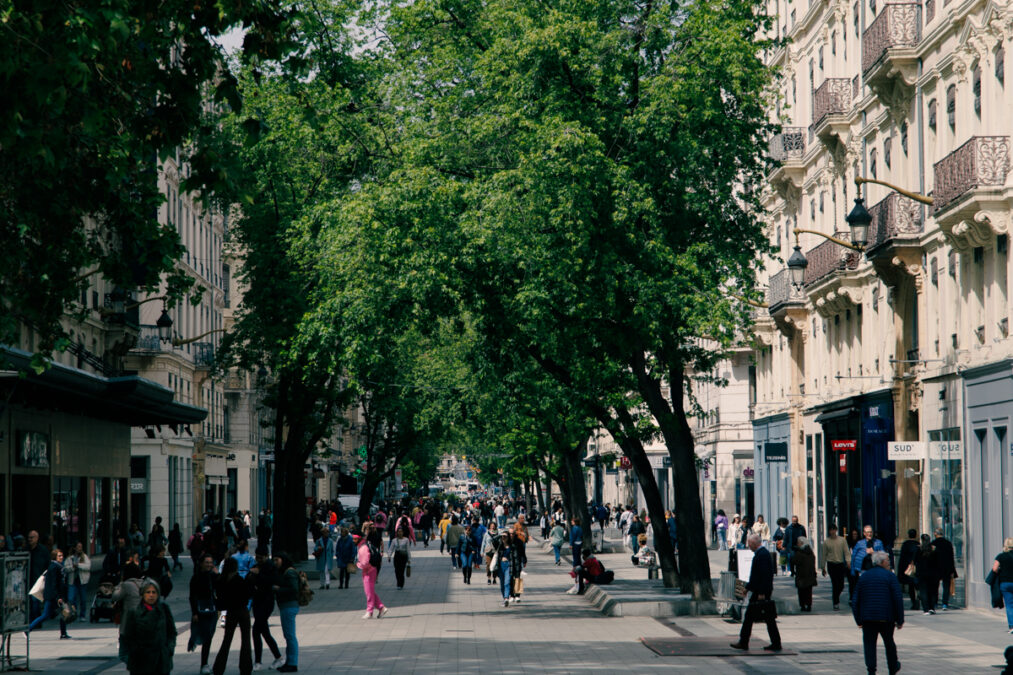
(971, 203)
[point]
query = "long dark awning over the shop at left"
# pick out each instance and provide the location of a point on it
(130, 400)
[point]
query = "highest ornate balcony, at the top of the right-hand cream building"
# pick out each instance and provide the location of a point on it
(890, 58)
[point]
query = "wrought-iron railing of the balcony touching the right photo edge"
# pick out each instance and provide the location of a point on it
(984, 161)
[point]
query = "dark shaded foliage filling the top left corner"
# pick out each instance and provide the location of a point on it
(94, 94)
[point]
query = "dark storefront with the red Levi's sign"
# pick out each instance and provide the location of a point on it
(860, 481)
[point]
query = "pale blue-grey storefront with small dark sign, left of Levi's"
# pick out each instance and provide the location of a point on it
(771, 468)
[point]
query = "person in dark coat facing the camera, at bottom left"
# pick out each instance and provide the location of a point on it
(149, 634)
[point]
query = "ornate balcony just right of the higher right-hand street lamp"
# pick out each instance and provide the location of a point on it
(895, 238)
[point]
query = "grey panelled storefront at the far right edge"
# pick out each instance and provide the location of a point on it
(989, 454)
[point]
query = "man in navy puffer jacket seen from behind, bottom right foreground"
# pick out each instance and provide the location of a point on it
(879, 609)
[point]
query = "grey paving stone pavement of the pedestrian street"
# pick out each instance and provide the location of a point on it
(439, 625)
